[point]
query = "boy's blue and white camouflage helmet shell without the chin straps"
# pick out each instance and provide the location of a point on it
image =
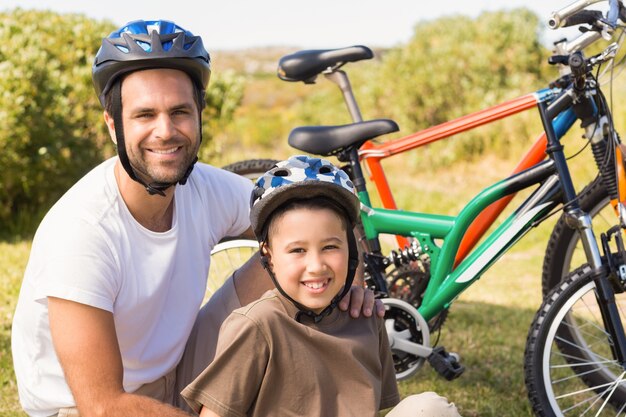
(301, 177)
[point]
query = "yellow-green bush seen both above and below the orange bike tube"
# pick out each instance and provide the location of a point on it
(458, 65)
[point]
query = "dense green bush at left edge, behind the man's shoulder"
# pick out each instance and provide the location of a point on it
(50, 119)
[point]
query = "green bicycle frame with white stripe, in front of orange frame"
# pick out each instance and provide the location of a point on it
(440, 236)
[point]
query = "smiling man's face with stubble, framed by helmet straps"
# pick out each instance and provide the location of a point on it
(161, 123)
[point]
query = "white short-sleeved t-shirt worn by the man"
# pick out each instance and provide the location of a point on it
(90, 249)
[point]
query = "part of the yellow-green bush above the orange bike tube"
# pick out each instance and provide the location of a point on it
(456, 65)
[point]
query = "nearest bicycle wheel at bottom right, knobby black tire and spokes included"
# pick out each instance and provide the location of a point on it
(568, 361)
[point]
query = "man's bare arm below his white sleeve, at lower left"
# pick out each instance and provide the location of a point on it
(86, 344)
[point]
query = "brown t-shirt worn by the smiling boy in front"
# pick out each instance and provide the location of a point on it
(269, 364)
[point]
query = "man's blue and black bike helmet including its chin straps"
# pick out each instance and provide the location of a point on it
(142, 45)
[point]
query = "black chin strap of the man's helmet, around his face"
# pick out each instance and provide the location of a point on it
(153, 187)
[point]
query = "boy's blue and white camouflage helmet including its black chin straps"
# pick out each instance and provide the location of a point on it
(300, 178)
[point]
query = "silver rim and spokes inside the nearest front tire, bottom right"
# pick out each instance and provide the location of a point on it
(579, 373)
